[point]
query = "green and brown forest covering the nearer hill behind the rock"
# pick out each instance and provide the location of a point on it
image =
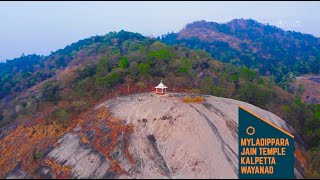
(123, 62)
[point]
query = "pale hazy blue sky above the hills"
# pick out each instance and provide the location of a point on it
(42, 27)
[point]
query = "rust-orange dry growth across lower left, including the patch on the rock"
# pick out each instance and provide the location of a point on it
(37, 137)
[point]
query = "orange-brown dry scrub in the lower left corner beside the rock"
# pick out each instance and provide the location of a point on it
(20, 144)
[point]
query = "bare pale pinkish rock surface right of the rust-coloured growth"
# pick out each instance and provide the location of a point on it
(181, 140)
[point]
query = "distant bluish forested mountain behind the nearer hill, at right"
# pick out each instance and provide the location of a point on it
(271, 50)
